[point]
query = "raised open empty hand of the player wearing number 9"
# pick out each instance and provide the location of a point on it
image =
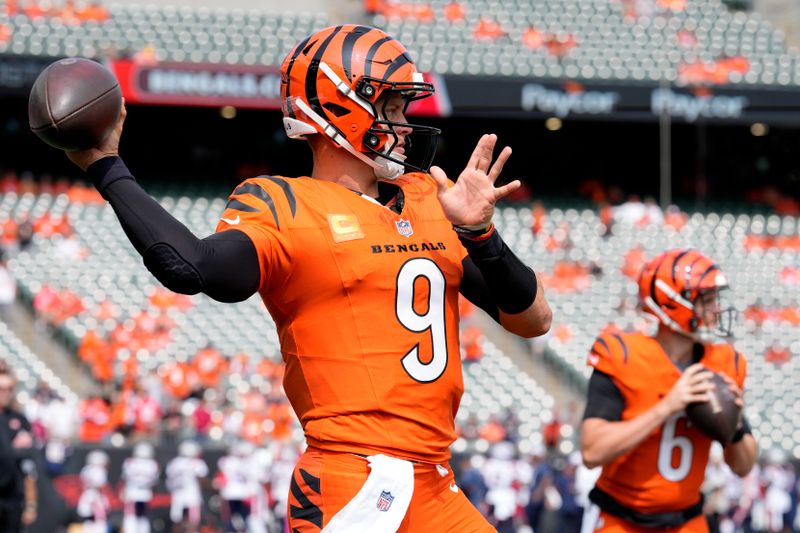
(470, 202)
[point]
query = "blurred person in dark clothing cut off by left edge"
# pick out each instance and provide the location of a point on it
(18, 496)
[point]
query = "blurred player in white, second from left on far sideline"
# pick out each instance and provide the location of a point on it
(140, 474)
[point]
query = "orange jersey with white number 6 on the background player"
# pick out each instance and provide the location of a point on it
(664, 472)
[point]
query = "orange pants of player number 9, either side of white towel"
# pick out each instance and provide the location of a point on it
(324, 482)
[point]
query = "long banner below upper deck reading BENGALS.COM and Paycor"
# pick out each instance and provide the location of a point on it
(258, 87)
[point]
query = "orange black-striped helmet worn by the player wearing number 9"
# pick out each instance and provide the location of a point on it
(333, 83)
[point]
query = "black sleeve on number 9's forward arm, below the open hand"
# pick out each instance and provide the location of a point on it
(512, 284)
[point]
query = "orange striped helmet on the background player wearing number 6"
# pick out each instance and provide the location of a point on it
(676, 287)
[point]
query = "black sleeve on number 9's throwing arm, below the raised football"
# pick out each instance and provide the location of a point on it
(224, 265)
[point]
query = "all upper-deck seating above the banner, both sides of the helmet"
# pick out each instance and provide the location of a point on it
(575, 39)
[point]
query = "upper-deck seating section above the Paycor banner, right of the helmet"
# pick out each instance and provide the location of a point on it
(598, 40)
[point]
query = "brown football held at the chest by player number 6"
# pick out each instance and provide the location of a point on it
(718, 417)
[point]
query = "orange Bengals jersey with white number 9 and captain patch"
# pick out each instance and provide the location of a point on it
(366, 305)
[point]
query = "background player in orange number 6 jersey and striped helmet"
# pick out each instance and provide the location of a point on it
(635, 425)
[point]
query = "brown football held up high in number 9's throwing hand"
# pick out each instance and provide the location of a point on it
(74, 104)
